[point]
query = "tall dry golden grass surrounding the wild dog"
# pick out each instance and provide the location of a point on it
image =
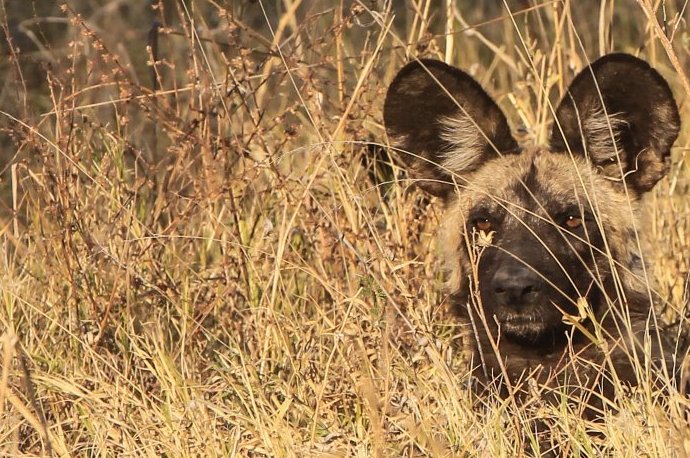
(207, 251)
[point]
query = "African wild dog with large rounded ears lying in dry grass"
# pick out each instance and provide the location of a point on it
(540, 243)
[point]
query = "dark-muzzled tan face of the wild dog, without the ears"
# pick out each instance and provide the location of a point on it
(541, 247)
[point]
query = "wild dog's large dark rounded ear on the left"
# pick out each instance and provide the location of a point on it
(442, 123)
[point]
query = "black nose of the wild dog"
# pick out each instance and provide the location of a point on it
(516, 286)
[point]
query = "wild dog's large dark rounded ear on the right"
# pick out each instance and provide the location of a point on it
(621, 114)
